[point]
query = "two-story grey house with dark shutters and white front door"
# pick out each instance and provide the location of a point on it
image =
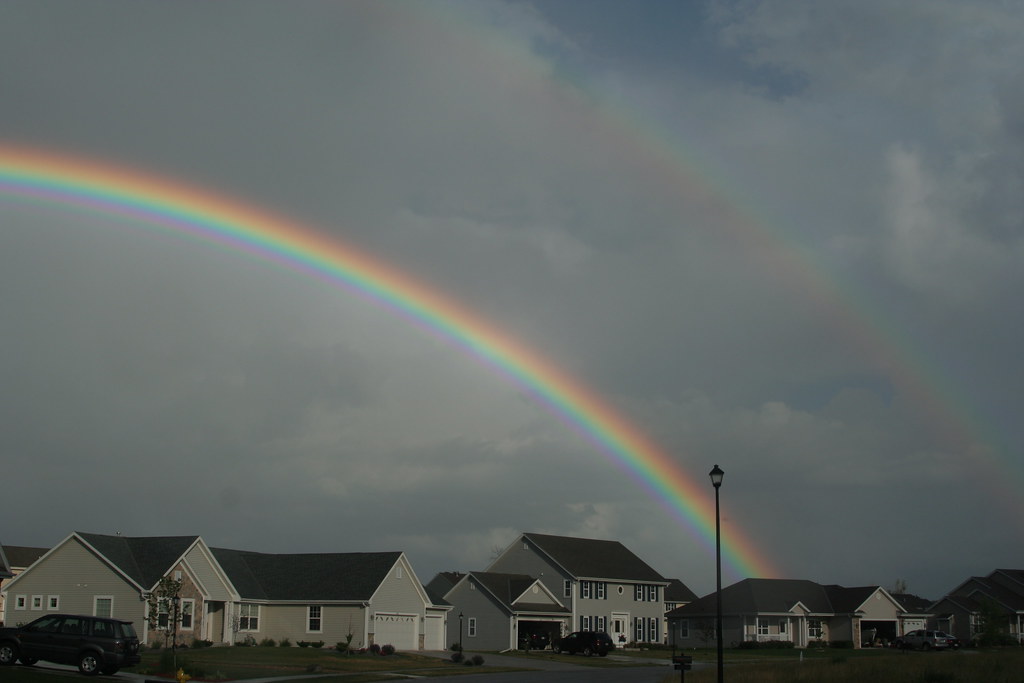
(604, 585)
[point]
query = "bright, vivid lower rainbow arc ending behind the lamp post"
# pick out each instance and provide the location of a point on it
(36, 177)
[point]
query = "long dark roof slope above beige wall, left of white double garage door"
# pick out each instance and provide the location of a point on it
(344, 577)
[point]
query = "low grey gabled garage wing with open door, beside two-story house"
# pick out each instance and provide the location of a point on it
(500, 612)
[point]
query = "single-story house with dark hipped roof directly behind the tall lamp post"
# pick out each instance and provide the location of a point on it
(800, 612)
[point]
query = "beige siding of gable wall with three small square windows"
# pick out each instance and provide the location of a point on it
(81, 578)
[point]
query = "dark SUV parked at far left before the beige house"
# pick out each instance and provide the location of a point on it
(96, 645)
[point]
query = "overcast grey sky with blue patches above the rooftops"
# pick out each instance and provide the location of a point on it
(786, 238)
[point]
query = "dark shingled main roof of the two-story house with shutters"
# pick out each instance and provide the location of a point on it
(589, 559)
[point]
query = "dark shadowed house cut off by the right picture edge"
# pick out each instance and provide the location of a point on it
(1000, 595)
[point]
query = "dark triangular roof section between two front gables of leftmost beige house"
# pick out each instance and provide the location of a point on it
(144, 560)
